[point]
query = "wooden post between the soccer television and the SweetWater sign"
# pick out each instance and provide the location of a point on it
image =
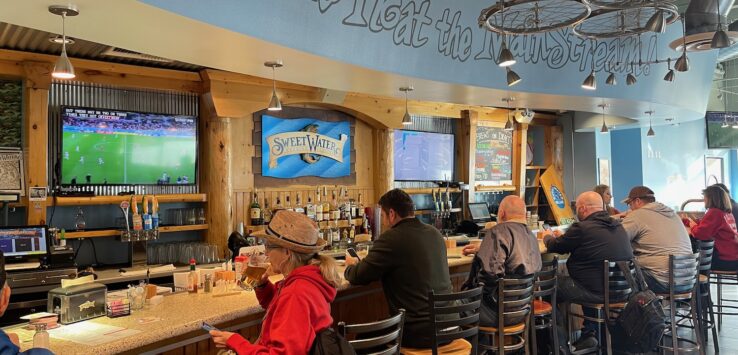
(215, 158)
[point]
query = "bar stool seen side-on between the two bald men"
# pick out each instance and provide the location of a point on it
(544, 314)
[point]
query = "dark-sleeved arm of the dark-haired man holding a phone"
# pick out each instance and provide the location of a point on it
(380, 259)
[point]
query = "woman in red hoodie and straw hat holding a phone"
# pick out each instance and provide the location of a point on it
(298, 307)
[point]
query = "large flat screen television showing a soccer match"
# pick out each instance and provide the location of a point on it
(101, 146)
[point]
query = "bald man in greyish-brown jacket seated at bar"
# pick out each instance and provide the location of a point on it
(508, 250)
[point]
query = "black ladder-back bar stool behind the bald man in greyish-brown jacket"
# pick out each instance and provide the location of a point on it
(514, 299)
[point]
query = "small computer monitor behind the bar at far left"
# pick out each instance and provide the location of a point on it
(19, 243)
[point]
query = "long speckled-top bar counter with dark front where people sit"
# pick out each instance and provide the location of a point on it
(179, 332)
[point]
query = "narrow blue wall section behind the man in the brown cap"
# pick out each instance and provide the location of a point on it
(627, 163)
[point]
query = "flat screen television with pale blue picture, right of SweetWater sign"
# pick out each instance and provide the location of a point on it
(423, 156)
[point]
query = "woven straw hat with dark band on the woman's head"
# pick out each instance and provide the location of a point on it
(293, 231)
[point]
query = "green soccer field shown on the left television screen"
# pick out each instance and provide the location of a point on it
(126, 158)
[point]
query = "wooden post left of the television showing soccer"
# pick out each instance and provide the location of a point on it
(36, 136)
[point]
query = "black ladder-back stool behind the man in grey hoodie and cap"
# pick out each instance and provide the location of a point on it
(683, 271)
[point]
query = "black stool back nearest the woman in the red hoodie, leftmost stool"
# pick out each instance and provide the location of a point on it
(385, 336)
